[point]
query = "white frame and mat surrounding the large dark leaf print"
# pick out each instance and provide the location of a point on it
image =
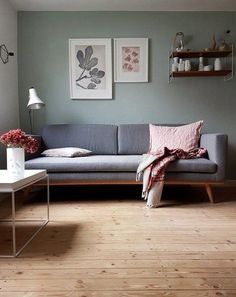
(78, 93)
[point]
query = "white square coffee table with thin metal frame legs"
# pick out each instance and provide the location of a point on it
(9, 184)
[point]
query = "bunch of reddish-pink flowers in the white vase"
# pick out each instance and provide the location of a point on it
(18, 139)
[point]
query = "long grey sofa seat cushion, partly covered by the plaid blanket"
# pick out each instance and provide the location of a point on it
(111, 163)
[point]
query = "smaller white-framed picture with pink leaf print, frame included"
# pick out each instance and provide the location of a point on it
(131, 59)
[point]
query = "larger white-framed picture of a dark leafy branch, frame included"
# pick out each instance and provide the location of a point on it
(90, 68)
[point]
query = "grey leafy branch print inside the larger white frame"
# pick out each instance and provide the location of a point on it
(89, 76)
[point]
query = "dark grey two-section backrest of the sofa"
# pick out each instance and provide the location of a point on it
(125, 139)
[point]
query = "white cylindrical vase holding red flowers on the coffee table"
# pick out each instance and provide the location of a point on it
(15, 161)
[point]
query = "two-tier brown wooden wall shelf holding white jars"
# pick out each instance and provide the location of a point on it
(201, 63)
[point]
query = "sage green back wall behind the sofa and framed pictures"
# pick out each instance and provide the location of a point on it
(43, 63)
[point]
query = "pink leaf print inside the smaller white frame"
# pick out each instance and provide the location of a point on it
(130, 59)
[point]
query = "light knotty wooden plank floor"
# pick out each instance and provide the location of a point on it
(117, 247)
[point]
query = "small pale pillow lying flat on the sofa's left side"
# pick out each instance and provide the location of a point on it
(68, 152)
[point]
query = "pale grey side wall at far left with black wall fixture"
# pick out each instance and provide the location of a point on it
(9, 107)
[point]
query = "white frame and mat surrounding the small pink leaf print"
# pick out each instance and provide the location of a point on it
(142, 74)
